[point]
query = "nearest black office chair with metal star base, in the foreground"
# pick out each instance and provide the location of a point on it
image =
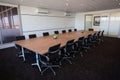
(52, 58)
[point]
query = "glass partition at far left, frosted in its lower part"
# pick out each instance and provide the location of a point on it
(9, 24)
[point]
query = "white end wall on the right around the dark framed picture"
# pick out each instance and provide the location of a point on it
(111, 28)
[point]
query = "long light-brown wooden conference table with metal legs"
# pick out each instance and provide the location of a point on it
(40, 45)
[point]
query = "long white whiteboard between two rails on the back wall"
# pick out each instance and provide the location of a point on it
(36, 22)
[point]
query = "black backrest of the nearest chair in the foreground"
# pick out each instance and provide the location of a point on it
(54, 53)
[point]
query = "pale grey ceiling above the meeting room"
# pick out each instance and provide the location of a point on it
(69, 5)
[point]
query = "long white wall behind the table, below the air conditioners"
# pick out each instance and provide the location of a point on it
(32, 22)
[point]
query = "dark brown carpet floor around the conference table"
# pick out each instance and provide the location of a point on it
(99, 63)
